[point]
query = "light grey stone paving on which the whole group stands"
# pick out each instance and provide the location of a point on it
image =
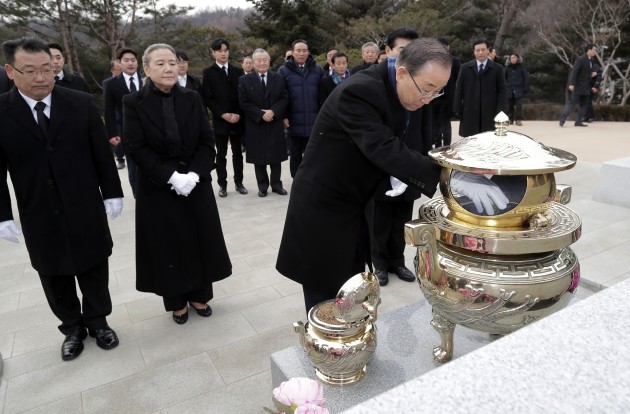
(221, 364)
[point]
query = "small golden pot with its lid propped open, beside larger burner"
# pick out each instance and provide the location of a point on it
(340, 335)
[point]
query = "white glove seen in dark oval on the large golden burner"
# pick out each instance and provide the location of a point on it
(482, 191)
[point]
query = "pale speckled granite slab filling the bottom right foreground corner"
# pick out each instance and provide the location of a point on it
(574, 361)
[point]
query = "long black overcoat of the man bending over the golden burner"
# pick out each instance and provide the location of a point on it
(352, 147)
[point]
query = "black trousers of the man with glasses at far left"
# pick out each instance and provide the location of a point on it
(62, 298)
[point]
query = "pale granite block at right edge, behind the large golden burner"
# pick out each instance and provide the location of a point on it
(613, 176)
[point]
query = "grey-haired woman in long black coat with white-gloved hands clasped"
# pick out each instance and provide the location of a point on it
(180, 248)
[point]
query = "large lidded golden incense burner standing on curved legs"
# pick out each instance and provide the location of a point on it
(496, 272)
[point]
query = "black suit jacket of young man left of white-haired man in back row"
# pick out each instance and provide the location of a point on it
(220, 92)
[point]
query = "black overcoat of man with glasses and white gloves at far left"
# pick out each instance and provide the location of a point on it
(60, 180)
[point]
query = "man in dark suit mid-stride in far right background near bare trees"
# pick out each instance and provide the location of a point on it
(580, 86)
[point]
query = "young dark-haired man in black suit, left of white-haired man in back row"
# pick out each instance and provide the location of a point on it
(220, 92)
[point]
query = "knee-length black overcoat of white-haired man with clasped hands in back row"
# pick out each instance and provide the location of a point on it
(265, 140)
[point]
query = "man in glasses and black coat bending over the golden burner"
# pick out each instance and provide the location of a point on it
(357, 140)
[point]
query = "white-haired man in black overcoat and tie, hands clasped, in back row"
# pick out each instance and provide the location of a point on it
(264, 98)
